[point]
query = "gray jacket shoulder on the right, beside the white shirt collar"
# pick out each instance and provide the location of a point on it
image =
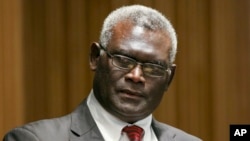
(165, 130)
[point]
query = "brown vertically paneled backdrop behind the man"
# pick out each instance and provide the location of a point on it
(44, 72)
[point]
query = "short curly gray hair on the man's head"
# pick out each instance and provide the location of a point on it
(142, 16)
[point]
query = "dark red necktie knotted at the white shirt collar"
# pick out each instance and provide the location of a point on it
(134, 133)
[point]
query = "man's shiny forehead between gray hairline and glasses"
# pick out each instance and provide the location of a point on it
(140, 41)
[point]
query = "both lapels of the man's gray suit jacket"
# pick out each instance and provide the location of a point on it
(83, 126)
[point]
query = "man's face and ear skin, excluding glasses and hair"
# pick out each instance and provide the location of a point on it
(129, 94)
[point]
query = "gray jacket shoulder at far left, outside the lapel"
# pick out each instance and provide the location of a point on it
(47, 129)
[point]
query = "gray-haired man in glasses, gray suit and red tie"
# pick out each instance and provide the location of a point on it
(133, 65)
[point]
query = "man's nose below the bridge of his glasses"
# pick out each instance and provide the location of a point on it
(136, 75)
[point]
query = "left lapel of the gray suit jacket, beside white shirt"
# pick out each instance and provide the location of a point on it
(83, 126)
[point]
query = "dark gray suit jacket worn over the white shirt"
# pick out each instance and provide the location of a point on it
(80, 126)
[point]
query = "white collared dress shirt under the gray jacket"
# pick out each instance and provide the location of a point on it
(111, 127)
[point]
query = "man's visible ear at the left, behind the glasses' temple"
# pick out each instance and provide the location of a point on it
(94, 56)
